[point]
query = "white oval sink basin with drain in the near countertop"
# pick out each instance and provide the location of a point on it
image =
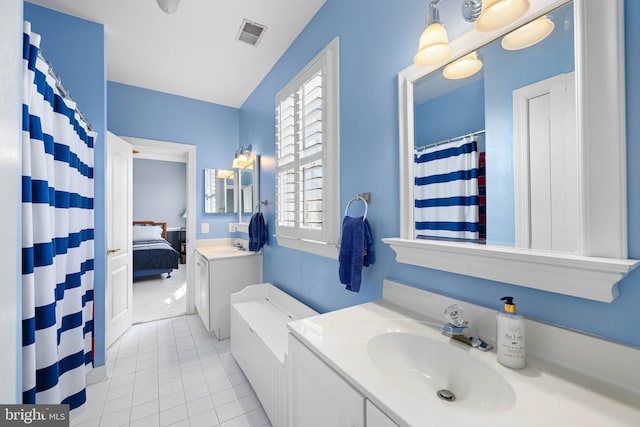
(427, 366)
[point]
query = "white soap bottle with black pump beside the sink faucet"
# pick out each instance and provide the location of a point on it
(510, 336)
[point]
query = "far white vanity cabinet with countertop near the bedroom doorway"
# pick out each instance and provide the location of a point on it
(221, 271)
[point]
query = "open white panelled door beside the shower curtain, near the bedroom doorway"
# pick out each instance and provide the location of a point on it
(119, 291)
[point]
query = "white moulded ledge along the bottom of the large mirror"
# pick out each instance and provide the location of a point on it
(579, 276)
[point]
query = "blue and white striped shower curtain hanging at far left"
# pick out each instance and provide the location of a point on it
(57, 239)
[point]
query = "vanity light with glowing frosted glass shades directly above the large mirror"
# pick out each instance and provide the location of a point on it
(488, 15)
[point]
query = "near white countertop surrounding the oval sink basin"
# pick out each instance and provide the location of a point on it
(545, 395)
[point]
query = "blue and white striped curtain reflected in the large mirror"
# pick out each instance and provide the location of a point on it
(446, 191)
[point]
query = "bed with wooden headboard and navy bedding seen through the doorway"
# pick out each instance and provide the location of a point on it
(152, 253)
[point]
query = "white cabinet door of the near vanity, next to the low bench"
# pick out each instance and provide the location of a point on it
(318, 396)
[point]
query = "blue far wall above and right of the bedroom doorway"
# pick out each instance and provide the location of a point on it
(212, 128)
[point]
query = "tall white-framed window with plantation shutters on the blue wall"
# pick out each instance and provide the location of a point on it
(307, 162)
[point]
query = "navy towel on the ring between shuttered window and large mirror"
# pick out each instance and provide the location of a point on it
(356, 250)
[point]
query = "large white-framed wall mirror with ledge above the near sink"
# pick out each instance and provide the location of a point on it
(554, 216)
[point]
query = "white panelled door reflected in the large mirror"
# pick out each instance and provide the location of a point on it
(546, 150)
